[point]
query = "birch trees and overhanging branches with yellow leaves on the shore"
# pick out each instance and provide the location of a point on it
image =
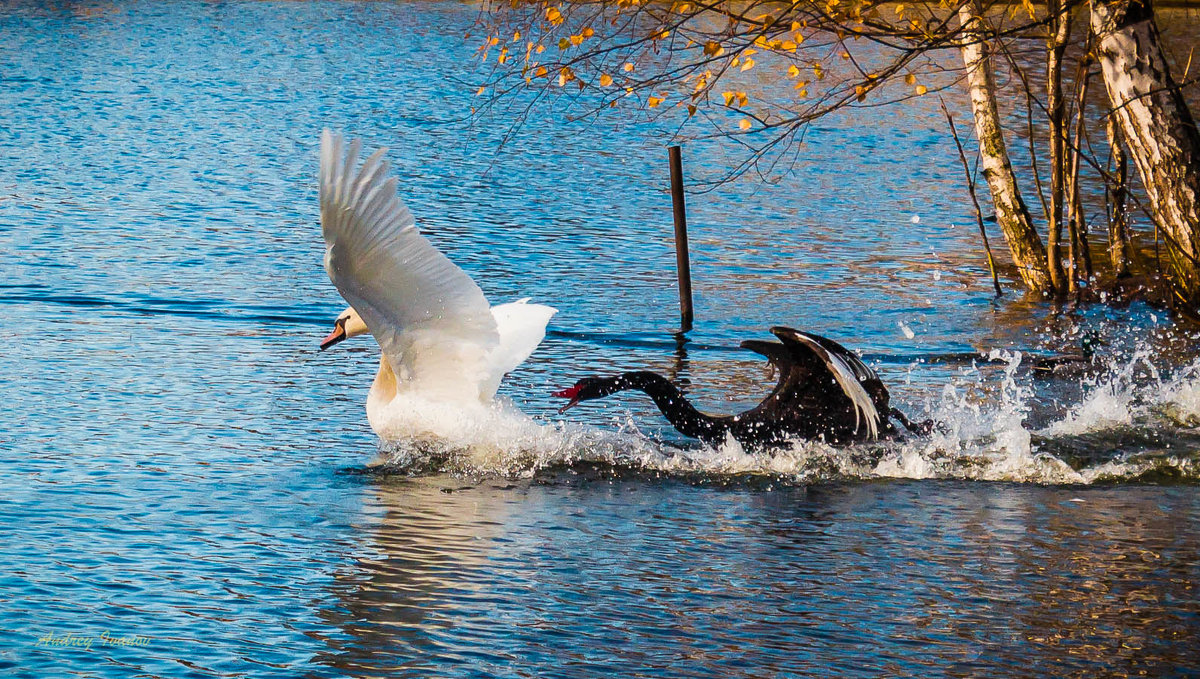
(1099, 106)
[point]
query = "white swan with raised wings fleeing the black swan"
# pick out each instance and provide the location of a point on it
(443, 350)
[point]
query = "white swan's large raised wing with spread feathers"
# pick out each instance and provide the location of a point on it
(430, 319)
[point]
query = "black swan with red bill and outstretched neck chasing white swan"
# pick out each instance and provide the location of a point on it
(825, 392)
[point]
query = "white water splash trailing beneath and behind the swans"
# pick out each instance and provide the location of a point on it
(1135, 422)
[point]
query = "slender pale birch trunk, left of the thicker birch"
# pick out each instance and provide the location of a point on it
(1012, 215)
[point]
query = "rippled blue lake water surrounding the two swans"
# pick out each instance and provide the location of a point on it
(184, 472)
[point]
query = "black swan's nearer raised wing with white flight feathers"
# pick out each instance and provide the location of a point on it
(824, 357)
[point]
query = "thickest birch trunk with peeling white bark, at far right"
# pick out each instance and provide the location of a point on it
(1157, 127)
